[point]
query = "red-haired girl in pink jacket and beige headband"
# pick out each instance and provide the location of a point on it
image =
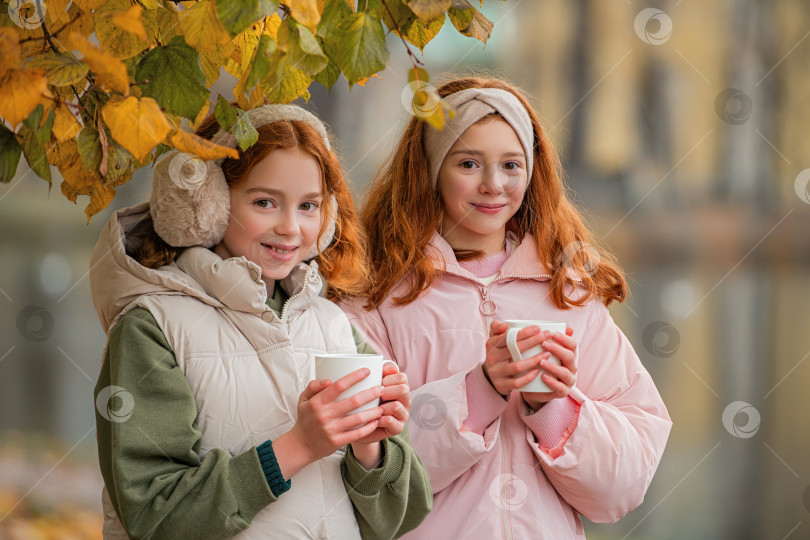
(471, 226)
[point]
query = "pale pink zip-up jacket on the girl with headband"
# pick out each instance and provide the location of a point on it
(498, 471)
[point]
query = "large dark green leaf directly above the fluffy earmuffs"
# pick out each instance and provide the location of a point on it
(173, 77)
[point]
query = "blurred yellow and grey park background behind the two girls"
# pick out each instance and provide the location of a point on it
(682, 127)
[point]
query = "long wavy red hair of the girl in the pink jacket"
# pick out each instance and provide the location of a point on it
(403, 210)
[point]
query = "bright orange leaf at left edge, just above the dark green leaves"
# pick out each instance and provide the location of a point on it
(21, 90)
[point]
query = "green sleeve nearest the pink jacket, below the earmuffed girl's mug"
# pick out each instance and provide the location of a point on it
(393, 499)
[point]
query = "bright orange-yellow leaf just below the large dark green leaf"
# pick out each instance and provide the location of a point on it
(136, 124)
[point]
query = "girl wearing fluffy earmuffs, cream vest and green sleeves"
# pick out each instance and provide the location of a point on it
(209, 422)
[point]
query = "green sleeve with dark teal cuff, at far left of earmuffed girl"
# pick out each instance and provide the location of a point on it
(148, 445)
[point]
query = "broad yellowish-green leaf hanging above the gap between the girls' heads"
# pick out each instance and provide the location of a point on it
(363, 51)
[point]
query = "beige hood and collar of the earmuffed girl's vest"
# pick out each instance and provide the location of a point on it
(117, 280)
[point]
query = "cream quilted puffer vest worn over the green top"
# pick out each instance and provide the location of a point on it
(246, 367)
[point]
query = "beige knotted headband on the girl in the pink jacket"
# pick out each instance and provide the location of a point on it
(472, 105)
